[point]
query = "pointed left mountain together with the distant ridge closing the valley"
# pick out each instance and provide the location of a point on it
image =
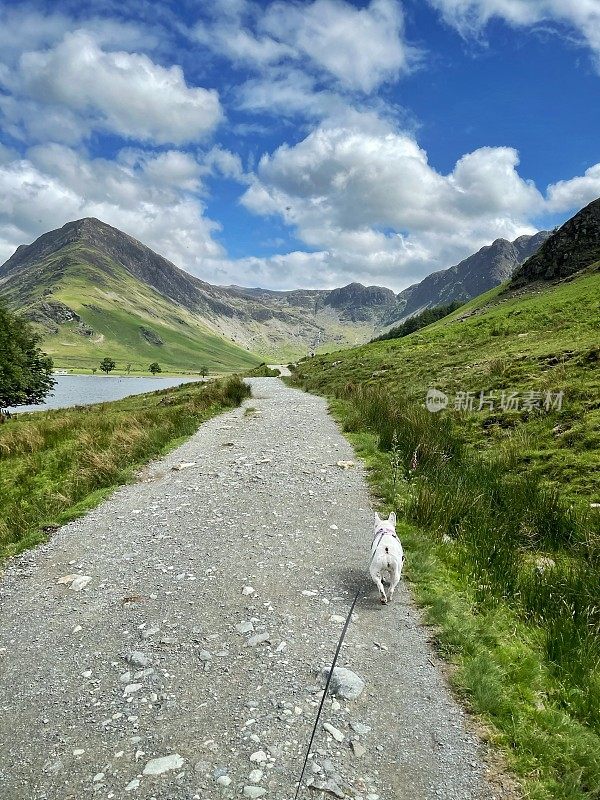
(92, 288)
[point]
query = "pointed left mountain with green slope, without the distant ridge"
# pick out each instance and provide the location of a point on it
(89, 306)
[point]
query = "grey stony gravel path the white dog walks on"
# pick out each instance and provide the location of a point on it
(168, 652)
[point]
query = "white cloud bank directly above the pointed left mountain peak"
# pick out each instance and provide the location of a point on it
(144, 195)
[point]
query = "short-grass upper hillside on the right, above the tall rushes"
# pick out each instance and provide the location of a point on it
(546, 340)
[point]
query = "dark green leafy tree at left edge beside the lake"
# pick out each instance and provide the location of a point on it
(25, 371)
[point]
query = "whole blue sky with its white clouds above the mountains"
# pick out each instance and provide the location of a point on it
(300, 144)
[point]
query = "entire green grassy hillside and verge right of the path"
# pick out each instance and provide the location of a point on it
(524, 643)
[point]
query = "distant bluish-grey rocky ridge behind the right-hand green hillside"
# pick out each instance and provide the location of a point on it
(474, 275)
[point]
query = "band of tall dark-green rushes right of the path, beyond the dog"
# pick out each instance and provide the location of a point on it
(519, 542)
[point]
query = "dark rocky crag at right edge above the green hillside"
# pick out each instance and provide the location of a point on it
(574, 246)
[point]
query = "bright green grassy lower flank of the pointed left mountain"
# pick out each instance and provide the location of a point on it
(115, 307)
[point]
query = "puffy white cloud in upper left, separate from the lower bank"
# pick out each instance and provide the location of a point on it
(126, 93)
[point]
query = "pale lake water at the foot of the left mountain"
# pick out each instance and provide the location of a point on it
(81, 390)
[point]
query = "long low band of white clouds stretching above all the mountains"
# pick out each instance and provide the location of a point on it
(366, 199)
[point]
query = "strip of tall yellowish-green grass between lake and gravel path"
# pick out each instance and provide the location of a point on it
(55, 463)
